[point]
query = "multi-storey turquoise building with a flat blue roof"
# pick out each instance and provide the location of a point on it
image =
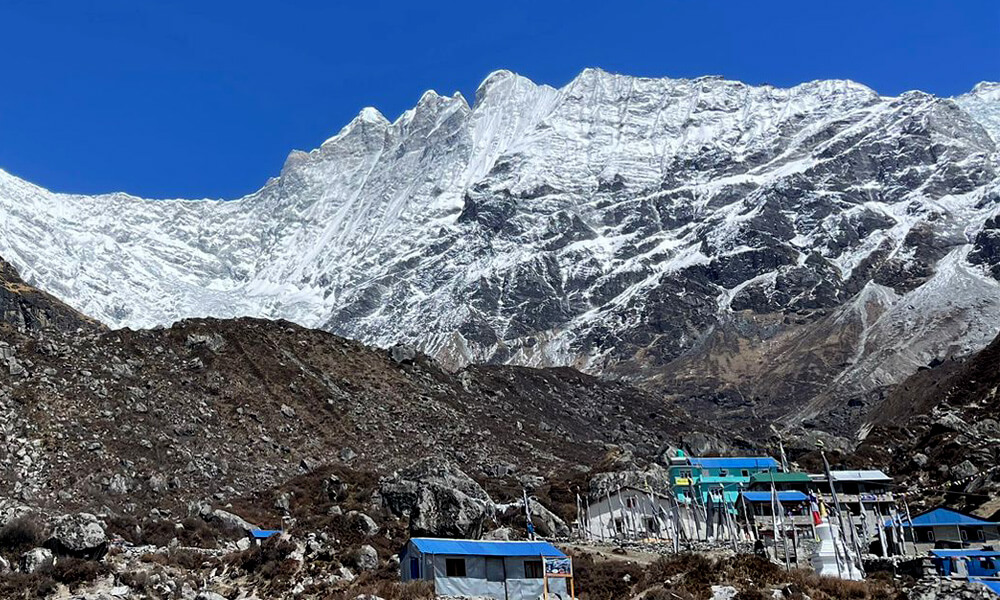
(695, 477)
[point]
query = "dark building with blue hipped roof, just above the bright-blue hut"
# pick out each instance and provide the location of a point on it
(946, 528)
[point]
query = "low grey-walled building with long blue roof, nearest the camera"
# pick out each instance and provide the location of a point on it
(504, 570)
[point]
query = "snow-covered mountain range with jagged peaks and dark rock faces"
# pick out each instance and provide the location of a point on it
(803, 245)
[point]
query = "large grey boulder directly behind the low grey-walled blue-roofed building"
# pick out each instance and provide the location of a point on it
(439, 500)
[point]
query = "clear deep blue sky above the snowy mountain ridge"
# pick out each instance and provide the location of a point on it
(205, 98)
